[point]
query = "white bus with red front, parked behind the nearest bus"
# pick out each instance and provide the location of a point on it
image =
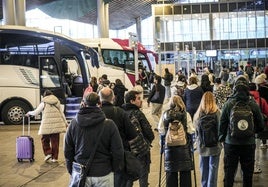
(116, 60)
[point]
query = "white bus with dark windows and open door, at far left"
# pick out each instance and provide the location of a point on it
(33, 60)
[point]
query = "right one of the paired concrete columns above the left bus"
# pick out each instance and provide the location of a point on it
(20, 8)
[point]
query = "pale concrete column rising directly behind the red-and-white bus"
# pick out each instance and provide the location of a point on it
(101, 19)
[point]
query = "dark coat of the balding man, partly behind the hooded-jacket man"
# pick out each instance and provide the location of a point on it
(122, 121)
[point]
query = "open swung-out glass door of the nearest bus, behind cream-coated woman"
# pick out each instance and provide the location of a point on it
(50, 78)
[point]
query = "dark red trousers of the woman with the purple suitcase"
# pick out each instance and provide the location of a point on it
(50, 144)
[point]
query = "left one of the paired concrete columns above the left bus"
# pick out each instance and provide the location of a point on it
(8, 12)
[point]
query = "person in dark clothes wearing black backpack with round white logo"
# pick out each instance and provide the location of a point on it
(241, 118)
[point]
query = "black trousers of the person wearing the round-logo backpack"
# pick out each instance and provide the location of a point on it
(245, 154)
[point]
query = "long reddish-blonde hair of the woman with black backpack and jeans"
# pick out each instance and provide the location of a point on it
(208, 104)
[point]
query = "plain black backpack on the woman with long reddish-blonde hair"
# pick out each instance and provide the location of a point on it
(208, 130)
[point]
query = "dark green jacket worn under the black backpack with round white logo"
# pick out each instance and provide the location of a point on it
(224, 130)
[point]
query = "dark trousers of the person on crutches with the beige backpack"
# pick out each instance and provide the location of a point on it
(172, 179)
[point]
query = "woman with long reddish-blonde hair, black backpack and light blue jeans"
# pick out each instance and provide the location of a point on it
(206, 121)
